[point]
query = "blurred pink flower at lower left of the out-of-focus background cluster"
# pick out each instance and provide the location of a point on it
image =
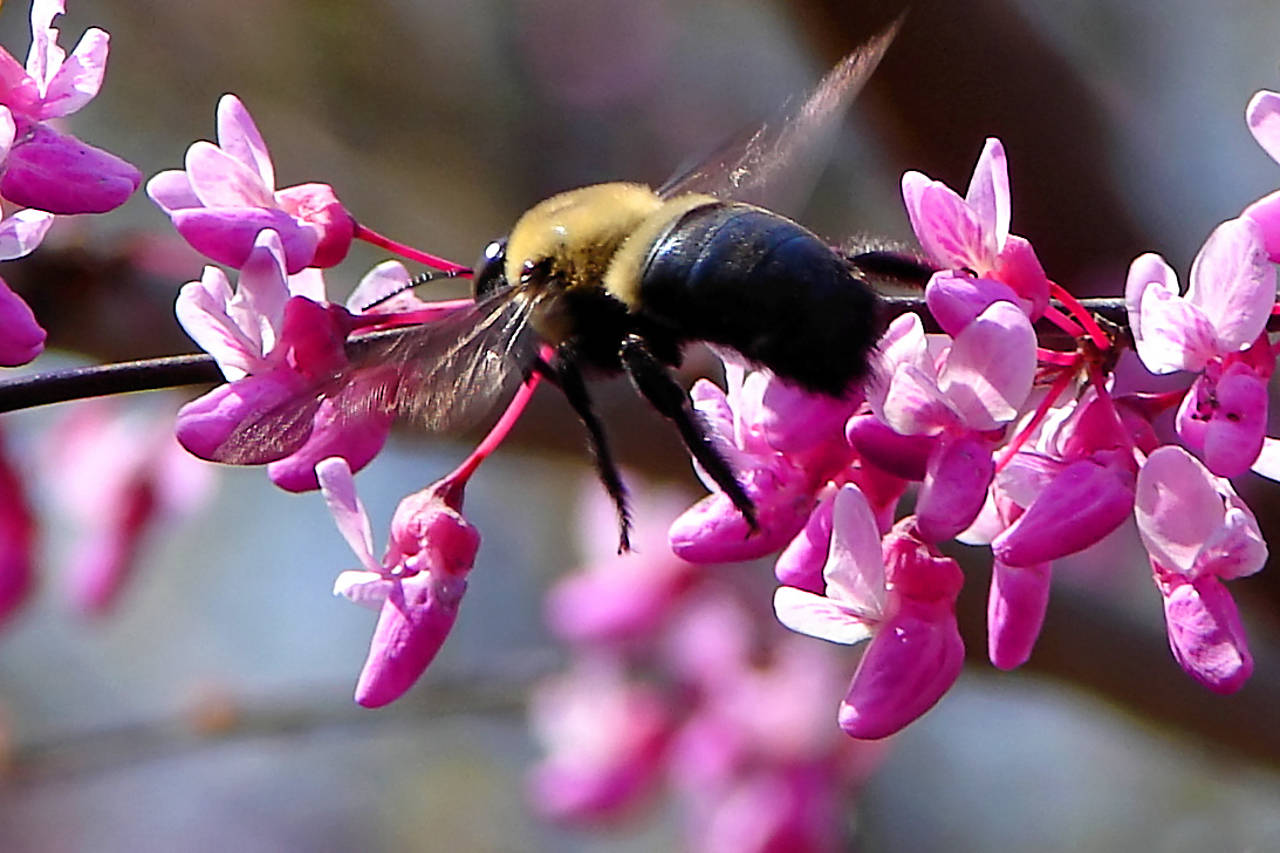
(605, 740)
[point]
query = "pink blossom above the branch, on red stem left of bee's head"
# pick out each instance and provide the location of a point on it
(227, 195)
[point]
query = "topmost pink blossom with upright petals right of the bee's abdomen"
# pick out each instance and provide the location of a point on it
(970, 239)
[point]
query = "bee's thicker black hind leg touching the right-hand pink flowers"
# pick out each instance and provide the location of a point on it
(655, 382)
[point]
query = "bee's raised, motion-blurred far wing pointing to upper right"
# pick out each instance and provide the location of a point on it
(749, 162)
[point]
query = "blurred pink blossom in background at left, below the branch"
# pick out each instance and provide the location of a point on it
(121, 477)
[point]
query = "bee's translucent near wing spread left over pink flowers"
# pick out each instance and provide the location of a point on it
(444, 376)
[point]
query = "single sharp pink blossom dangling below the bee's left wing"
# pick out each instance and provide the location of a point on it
(417, 587)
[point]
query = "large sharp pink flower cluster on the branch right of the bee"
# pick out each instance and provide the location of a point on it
(1037, 454)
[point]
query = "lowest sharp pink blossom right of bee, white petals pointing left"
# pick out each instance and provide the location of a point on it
(903, 599)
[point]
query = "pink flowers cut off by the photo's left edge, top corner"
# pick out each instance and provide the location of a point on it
(43, 170)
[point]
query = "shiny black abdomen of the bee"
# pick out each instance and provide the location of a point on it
(751, 280)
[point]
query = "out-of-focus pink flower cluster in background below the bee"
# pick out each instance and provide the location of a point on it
(676, 681)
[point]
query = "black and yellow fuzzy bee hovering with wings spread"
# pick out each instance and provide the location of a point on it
(619, 279)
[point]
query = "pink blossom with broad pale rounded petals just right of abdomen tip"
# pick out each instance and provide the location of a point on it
(959, 399)
